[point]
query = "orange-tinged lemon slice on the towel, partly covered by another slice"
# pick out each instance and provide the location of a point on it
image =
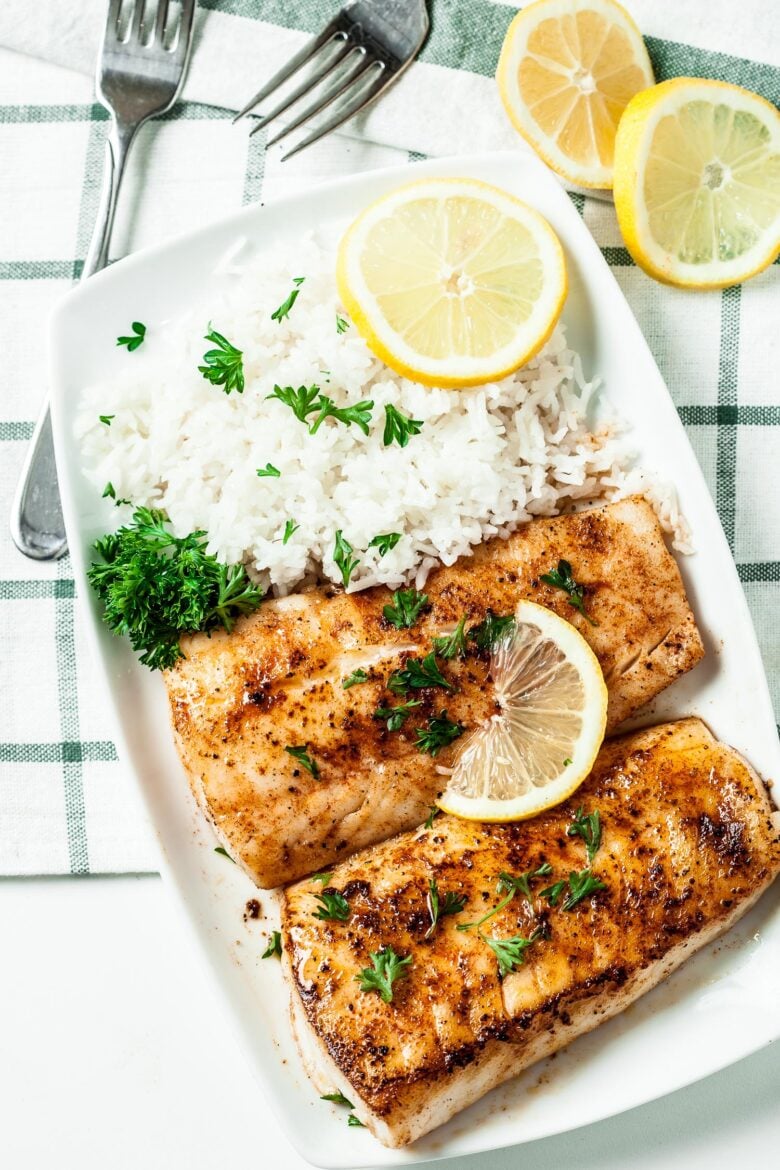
(567, 73)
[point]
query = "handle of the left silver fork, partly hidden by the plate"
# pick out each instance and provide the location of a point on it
(37, 525)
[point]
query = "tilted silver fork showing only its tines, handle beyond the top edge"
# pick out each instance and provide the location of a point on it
(363, 51)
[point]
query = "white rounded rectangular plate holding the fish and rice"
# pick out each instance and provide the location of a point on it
(724, 1003)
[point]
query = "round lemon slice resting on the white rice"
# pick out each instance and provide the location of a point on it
(452, 283)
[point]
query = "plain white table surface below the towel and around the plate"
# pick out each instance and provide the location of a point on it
(112, 1058)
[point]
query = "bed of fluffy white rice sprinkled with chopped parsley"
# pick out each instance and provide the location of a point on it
(486, 460)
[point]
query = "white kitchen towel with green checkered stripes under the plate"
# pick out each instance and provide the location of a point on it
(66, 806)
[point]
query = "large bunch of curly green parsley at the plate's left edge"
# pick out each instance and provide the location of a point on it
(156, 587)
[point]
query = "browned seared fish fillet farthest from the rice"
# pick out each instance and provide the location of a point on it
(689, 843)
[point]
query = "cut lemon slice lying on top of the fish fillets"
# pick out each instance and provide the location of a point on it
(553, 721)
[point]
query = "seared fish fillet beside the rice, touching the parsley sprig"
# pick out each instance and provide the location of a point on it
(239, 700)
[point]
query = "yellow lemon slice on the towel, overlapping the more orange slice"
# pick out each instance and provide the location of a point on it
(698, 183)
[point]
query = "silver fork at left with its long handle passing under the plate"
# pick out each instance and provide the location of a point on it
(140, 74)
